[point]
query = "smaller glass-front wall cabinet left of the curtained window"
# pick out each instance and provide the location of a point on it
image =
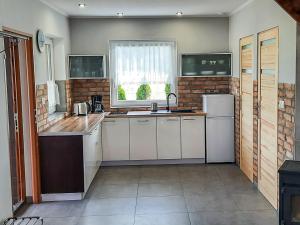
(88, 67)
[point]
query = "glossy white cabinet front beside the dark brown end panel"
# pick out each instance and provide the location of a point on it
(92, 154)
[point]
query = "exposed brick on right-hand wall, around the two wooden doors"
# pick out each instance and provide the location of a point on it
(286, 123)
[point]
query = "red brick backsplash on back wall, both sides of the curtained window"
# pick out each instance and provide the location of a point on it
(190, 91)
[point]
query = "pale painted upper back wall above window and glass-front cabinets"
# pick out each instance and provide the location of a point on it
(193, 35)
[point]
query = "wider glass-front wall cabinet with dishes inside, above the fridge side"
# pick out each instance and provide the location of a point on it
(206, 64)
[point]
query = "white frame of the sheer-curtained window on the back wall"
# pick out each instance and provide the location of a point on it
(115, 103)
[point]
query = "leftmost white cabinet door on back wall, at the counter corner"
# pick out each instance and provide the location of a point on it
(115, 139)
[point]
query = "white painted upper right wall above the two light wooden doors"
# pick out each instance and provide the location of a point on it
(259, 16)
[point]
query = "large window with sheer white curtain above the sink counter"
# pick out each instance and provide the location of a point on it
(142, 72)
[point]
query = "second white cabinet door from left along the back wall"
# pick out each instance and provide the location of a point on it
(143, 138)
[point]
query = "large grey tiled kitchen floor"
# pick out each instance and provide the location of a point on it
(164, 195)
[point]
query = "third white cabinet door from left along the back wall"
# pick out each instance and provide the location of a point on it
(168, 138)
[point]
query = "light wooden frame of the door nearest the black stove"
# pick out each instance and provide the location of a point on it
(259, 98)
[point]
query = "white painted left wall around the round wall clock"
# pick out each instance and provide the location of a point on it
(31, 15)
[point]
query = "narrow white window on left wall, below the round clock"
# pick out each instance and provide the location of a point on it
(53, 93)
